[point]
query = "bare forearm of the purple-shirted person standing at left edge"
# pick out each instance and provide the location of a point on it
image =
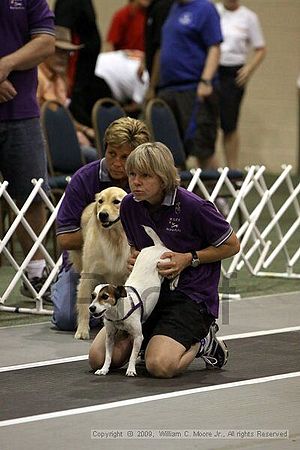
(30, 55)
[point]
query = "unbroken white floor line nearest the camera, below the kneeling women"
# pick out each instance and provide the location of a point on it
(135, 401)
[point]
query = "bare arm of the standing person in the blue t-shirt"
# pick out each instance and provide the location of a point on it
(205, 88)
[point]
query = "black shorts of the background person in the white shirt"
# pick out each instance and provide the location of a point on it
(230, 98)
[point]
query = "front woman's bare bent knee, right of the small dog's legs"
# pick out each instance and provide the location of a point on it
(166, 358)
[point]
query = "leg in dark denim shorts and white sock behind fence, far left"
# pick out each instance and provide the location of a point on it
(24, 158)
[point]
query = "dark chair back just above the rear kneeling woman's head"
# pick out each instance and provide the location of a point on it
(104, 112)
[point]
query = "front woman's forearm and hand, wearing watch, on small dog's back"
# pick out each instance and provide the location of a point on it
(179, 261)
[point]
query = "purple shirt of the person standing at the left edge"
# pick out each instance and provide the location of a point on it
(20, 20)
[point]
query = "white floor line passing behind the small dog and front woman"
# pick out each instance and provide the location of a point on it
(83, 357)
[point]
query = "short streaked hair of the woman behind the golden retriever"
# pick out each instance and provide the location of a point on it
(126, 130)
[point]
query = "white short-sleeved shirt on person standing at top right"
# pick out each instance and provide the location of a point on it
(241, 31)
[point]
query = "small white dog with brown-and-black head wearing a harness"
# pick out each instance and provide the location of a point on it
(127, 307)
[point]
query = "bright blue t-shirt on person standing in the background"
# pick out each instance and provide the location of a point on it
(190, 29)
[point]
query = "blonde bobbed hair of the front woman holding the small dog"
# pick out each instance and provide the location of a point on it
(154, 158)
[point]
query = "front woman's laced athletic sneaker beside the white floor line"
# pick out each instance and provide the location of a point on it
(213, 350)
